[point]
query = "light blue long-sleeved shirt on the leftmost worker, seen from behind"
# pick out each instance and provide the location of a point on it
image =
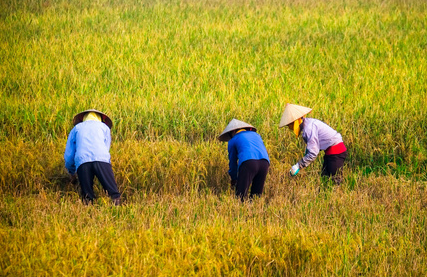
(88, 141)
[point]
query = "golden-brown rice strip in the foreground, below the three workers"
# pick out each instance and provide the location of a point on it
(377, 229)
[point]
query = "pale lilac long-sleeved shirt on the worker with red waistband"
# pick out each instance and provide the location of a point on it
(318, 136)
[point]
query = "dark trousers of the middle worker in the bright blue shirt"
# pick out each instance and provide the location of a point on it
(251, 171)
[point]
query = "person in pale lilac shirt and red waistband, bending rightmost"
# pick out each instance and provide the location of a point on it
(318, 136)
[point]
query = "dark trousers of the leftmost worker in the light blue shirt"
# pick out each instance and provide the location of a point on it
(104, 172)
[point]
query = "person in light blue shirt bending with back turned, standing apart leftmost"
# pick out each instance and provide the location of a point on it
(88, 153)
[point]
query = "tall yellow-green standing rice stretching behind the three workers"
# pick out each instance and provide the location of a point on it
(182, 70)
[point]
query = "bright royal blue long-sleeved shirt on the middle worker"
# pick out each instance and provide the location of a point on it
(246, 145)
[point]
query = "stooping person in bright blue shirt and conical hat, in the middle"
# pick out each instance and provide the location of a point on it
(248, 158)
